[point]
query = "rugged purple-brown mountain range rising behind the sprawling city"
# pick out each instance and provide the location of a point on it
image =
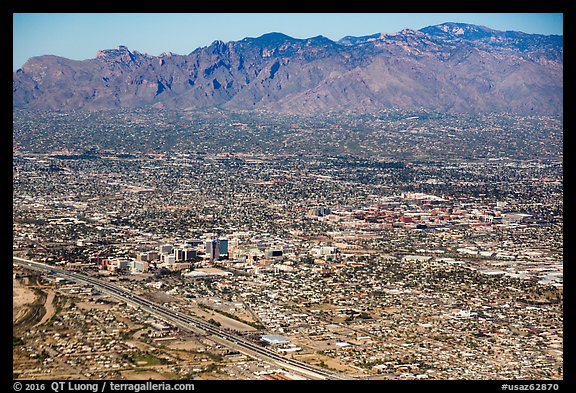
(451, 67)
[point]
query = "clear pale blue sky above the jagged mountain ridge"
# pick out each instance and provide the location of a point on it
(79, 36)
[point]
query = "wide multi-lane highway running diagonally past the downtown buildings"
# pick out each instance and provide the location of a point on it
(188, 322)
